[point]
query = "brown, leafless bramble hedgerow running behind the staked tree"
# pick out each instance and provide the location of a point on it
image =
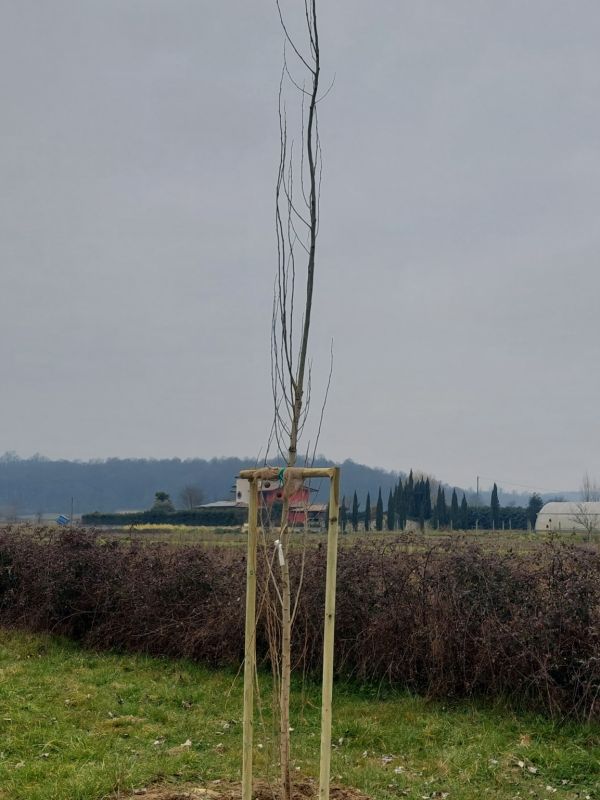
(452, 619)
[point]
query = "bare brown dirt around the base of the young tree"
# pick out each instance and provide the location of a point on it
(221, 790)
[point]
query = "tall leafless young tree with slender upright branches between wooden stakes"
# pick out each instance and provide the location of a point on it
(297, 225)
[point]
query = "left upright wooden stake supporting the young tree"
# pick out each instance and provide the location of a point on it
(250, 643)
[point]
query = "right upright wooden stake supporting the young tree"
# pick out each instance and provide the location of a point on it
(327, 692)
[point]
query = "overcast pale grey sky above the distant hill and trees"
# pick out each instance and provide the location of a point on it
(458, 268)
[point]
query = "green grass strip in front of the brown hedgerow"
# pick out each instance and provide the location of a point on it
(75, 725)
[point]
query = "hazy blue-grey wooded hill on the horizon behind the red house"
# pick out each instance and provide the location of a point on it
(41, 486)
